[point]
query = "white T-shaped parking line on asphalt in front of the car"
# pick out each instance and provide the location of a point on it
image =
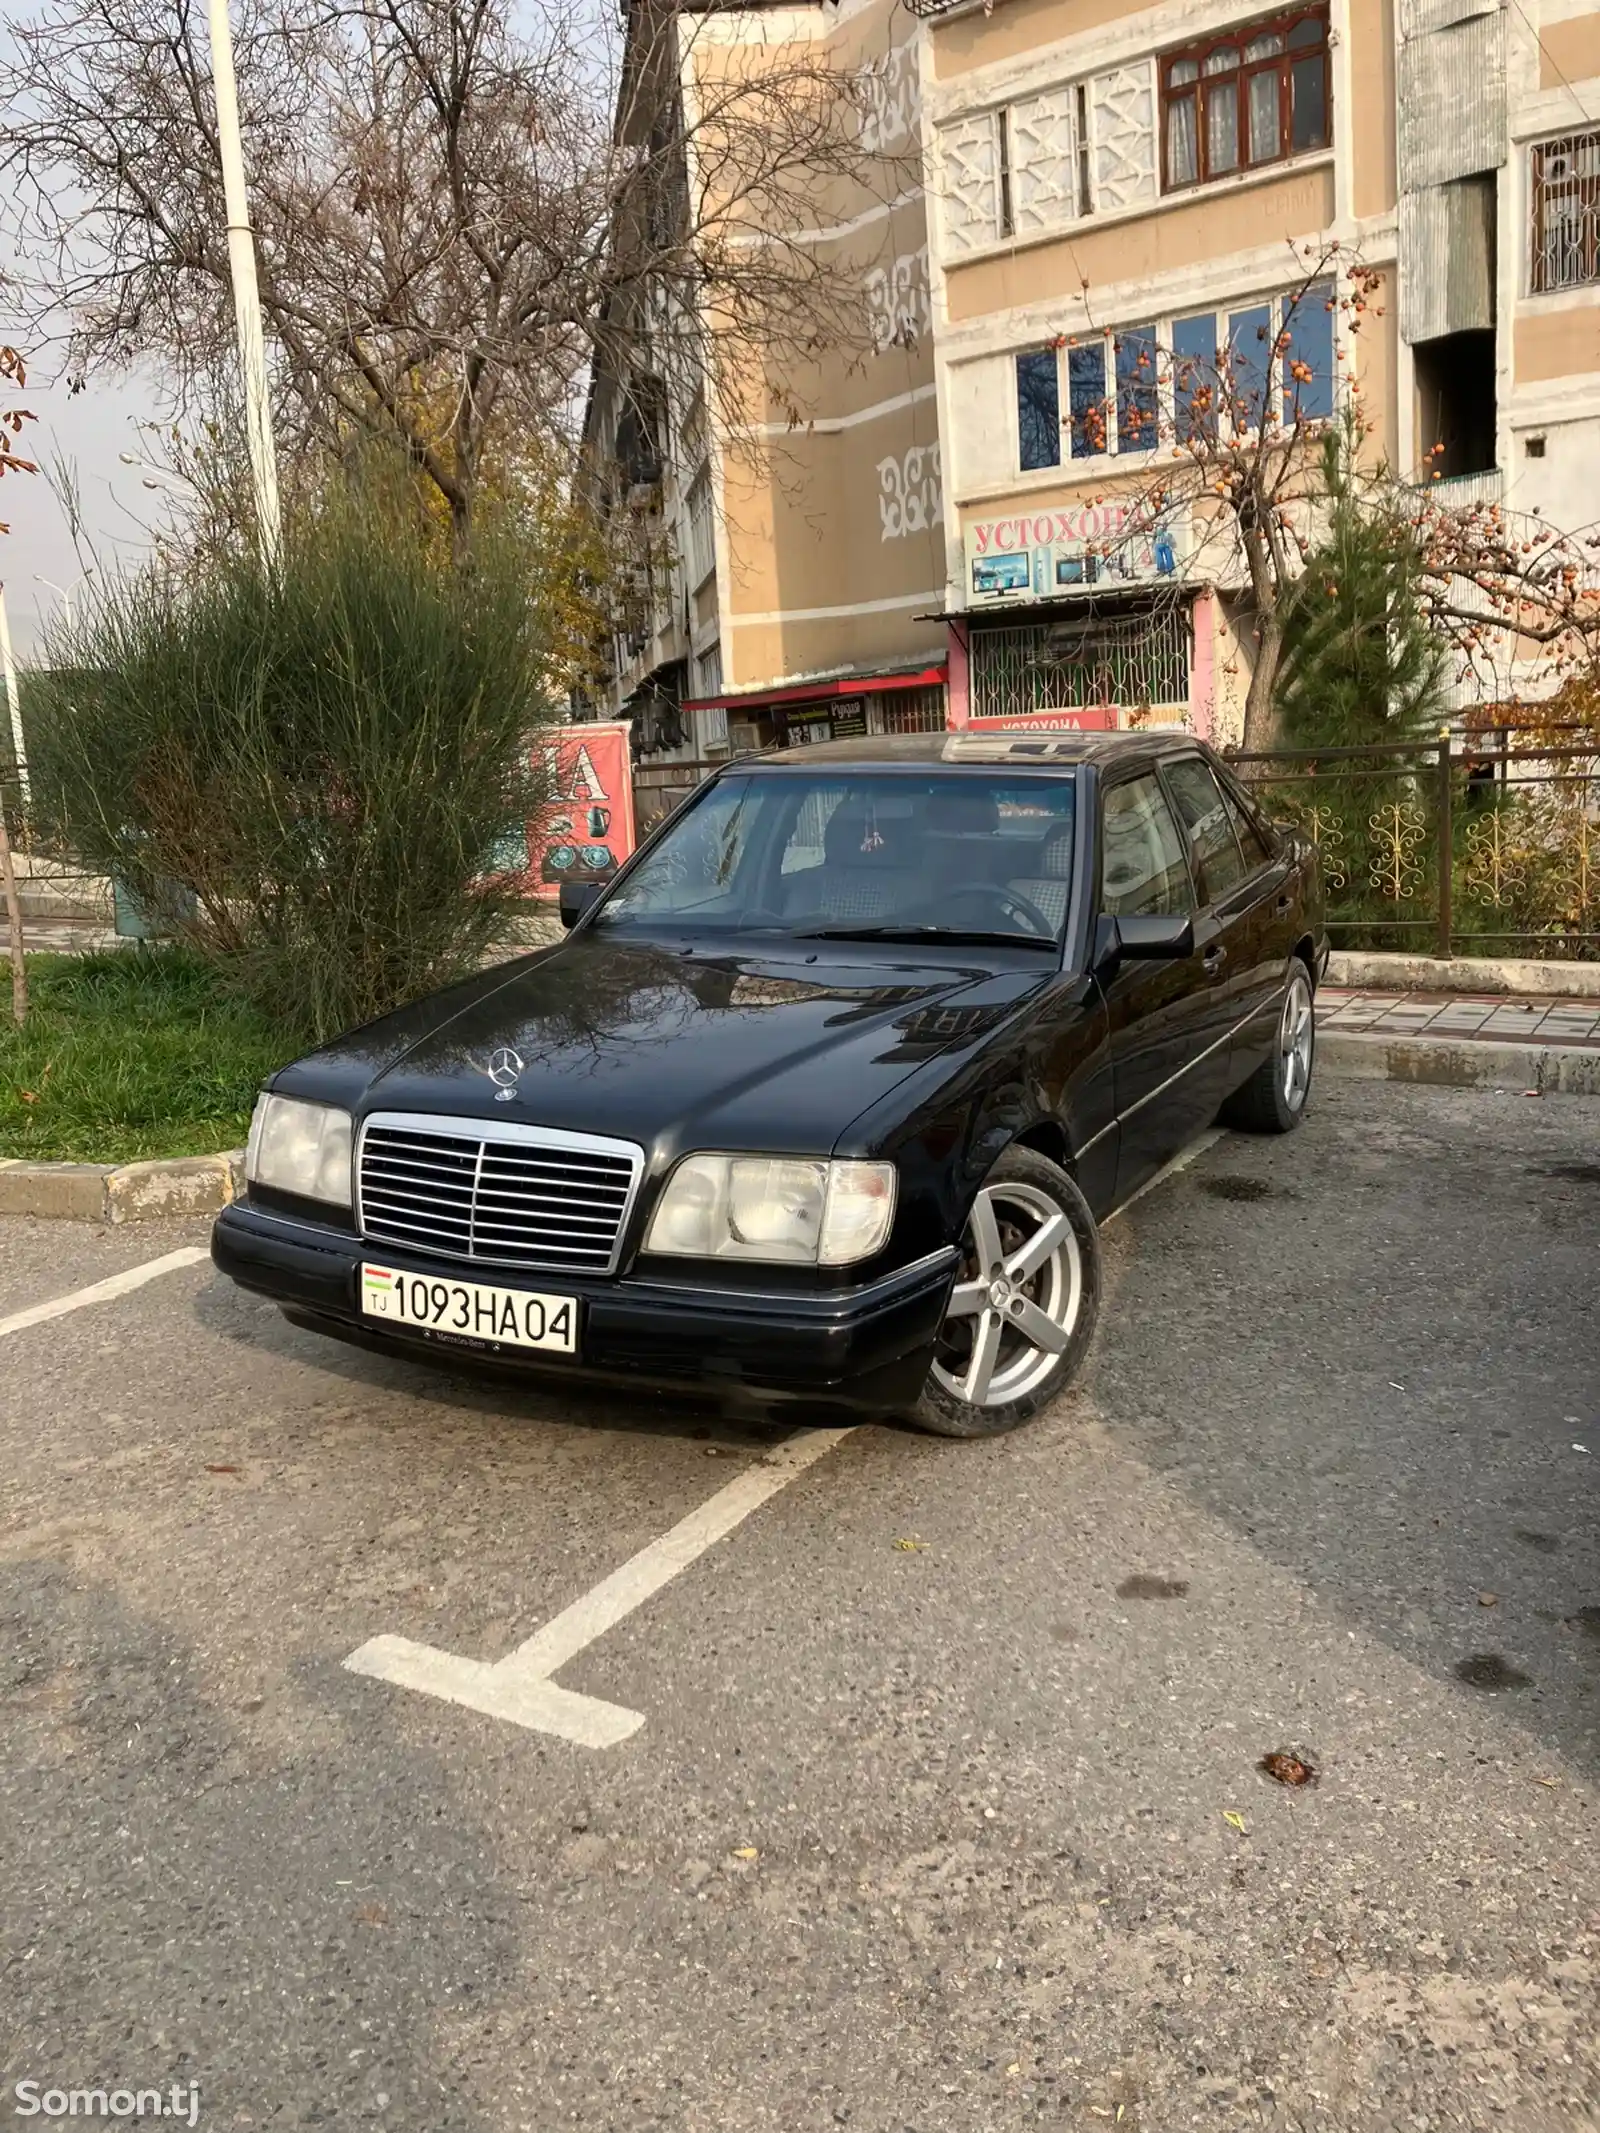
(519, 1688)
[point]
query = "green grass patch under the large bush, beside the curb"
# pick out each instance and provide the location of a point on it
(131, 1055)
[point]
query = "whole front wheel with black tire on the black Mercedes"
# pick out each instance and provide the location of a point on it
(1023, 1311)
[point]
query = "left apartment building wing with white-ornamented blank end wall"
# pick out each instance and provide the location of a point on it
(790, 530)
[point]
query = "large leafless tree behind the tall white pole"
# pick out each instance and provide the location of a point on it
(453, 212)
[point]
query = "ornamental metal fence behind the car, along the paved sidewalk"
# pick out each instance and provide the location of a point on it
(1447, 848)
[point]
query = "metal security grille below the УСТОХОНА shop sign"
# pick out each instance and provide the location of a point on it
(1042, 667)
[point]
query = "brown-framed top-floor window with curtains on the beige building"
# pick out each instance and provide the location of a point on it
(1247, 99)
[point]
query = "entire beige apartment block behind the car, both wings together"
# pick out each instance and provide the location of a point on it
(1078, 197)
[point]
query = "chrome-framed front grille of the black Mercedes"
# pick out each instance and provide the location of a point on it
(496, 1193)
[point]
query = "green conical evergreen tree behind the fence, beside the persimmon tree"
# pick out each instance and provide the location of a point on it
(1360, 660)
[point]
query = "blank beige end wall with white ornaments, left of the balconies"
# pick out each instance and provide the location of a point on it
(829, 490)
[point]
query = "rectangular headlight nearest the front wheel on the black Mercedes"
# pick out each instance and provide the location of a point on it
(786, 1208)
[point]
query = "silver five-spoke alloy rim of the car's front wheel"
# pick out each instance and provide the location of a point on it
(1017, 1300)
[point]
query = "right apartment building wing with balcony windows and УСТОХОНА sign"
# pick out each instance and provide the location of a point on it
(1123, 189)
